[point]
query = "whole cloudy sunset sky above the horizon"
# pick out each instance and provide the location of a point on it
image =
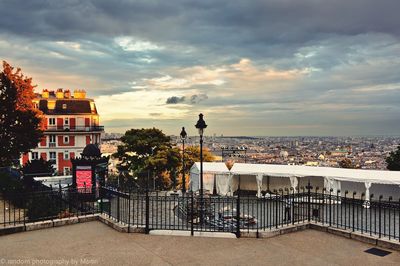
(256, 68)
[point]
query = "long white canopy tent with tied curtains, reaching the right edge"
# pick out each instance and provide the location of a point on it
(331, 177)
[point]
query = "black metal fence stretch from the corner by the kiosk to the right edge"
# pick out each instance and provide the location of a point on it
(166, 211)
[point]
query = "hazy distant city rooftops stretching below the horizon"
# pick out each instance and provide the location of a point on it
(364, 152)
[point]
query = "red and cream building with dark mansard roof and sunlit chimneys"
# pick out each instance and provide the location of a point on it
(71, 123)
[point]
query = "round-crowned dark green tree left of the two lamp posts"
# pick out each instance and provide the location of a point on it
(147, 151)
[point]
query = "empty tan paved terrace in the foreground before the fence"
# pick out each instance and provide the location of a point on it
(94, 243)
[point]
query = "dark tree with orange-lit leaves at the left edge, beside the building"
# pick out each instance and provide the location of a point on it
(20, 122)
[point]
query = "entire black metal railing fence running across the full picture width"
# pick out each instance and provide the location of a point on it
(374, 216)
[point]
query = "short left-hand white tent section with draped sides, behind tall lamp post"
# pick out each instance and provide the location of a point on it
(211, 171)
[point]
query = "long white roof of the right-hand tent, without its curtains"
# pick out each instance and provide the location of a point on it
(353, 175)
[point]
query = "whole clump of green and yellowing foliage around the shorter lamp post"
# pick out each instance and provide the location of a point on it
(148, 153)
